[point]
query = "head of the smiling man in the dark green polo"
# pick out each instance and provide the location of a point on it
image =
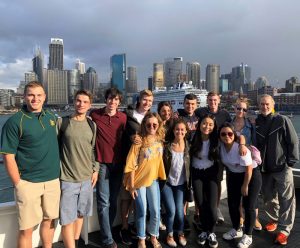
(35, 98)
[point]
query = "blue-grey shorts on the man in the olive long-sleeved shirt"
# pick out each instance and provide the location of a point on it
(76, 201)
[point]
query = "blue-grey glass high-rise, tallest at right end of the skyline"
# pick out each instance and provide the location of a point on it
(240, 77)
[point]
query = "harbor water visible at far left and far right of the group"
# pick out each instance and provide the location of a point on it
(6, 190)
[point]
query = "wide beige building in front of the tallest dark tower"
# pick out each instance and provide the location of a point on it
(57, 87)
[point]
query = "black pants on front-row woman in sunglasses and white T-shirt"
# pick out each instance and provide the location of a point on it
(234, 183)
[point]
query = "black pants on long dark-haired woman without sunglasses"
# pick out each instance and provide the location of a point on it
(205, 185)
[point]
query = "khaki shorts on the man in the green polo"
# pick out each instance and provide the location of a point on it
(36, 201)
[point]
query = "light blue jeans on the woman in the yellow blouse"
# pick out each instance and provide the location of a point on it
(150, 195)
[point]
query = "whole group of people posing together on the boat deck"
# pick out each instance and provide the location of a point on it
(149, 161)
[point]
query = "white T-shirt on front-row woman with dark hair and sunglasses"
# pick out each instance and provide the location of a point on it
(233, 160)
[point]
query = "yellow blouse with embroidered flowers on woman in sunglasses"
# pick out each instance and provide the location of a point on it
(147, 162)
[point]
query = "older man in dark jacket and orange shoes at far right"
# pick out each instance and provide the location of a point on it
(277, 140)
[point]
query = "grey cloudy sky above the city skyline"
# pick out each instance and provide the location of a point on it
(261, 33)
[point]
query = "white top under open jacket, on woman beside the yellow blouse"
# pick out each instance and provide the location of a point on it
(177, 171)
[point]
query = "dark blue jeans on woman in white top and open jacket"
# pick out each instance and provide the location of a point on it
(172, 197)
